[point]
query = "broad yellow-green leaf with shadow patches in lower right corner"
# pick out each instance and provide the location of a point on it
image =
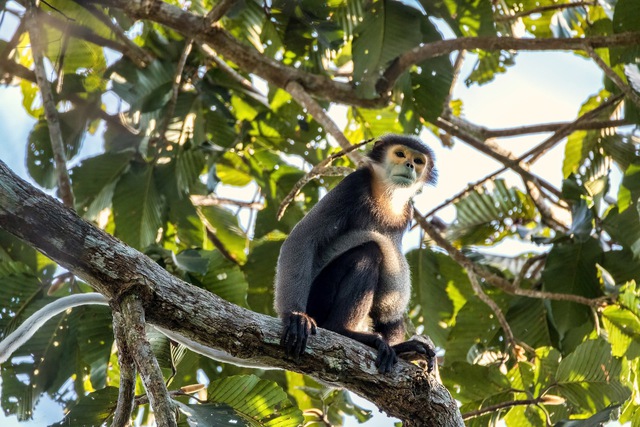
(589, 378)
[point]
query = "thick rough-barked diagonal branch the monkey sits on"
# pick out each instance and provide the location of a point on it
(116, 270)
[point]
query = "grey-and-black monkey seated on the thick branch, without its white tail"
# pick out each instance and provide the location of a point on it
(341, 267)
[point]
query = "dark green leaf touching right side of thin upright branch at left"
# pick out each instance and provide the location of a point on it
(95, 179)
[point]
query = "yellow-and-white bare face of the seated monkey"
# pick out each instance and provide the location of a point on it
(404, 166)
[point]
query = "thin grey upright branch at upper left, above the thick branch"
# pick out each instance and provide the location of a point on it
(50, 111)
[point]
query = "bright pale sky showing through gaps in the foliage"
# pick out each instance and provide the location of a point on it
(540, 88)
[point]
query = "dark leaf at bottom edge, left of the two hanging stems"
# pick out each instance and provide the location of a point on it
(93, 409)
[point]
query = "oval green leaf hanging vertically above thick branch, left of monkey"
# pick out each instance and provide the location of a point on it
(138, 207)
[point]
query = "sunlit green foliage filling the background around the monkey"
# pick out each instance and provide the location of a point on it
(172, 153)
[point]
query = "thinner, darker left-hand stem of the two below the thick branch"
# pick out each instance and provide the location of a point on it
(126, 389)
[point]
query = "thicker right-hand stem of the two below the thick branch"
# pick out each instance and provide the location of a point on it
(134, 327)
